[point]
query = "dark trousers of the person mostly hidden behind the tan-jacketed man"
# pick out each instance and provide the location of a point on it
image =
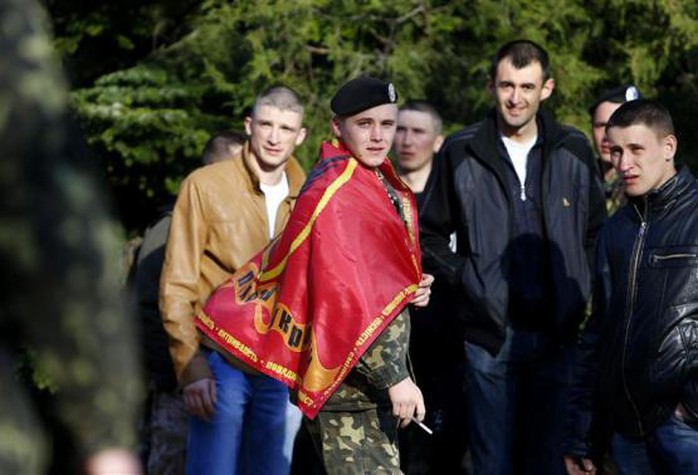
(165, 434)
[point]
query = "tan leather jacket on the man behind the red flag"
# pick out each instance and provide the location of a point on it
(219, 222)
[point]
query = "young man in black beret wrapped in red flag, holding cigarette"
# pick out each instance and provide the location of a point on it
(324, 307)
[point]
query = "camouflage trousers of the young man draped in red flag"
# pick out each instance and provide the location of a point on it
(358, 442)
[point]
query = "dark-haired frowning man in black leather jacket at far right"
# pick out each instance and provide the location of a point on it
(638, 355)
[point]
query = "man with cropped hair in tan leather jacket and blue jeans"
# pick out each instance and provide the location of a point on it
(226, 213)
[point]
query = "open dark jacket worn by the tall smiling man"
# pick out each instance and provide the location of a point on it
(469, 197)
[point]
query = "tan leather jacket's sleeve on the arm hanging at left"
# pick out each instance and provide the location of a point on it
(179, 295)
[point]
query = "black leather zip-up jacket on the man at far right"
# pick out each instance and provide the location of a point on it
(638, 356)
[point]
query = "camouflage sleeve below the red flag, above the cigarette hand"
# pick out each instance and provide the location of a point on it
(385, 362)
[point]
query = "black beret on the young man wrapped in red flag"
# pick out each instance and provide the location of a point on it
(362, 93)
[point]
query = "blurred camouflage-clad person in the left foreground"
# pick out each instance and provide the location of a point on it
(59, 298)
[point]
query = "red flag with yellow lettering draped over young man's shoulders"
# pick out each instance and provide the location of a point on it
(309, 305)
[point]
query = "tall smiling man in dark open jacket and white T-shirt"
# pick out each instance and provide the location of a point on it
(524, 197)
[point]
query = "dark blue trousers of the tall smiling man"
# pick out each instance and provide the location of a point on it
(516, 405)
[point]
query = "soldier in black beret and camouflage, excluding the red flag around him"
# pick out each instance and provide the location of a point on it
(356, 430)
